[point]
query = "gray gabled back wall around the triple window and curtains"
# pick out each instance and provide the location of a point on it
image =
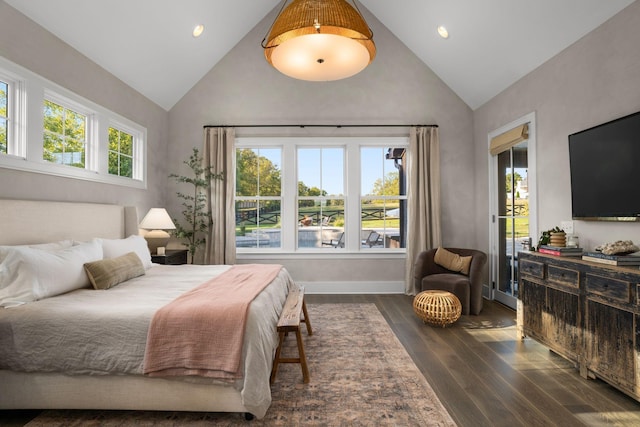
(396, 88)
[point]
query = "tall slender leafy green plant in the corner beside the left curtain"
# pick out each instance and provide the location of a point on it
(197, 219)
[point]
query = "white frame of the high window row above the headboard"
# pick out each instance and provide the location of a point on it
(25, 145)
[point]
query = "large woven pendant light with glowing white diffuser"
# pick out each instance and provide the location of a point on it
(319, 40)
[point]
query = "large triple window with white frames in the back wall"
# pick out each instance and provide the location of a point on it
(320, 195)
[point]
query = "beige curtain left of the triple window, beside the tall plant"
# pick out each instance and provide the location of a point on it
(218, 154)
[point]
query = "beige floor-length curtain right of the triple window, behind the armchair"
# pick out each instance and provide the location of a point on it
(423, 173)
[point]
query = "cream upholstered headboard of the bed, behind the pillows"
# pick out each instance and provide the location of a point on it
(29, 221)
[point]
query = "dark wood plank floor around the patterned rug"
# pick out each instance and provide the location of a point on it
(485, 376)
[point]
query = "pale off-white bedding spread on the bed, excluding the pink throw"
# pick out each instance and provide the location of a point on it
(103, 332)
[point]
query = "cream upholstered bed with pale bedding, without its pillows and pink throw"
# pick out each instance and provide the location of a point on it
(119, 382)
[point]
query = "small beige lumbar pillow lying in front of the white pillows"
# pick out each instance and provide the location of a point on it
(107, 273)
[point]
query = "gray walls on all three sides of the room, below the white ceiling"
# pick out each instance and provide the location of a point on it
(595, 80)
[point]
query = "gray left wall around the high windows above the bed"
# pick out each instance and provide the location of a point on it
(27, 44)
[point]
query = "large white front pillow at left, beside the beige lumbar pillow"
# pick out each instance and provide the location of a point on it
(28, 274)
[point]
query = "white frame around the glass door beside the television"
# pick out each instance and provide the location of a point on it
(490, 289)
